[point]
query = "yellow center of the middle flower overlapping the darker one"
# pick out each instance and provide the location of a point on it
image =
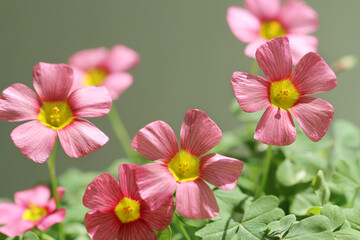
(184, 166)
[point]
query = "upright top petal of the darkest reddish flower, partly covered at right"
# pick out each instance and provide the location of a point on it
(127, 181)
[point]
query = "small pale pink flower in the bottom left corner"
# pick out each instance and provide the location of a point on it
(32, 208)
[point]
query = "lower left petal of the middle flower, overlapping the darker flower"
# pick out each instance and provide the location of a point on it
(156, 184)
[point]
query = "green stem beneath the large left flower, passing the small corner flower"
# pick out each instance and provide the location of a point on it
(51, 165)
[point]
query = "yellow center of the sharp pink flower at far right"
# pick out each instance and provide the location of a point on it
(283, 94)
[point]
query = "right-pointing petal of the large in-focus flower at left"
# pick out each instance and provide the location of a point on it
(90, 102)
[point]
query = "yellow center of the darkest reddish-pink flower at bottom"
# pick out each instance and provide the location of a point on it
(127, 210)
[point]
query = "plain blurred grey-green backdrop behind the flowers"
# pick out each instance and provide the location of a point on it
(187, 57)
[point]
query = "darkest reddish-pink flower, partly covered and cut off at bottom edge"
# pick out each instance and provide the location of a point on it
(118, 211)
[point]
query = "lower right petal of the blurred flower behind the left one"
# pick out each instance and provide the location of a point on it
(117, 83)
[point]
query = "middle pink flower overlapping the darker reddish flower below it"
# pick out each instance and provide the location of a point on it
(186, 170)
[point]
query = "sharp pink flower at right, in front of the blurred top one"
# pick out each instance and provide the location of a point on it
(286, 92)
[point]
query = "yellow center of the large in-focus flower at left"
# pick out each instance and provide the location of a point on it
(55, 114)
